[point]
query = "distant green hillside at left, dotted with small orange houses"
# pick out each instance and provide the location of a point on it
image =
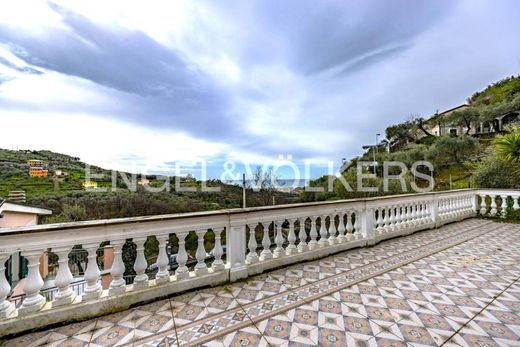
(69, 200)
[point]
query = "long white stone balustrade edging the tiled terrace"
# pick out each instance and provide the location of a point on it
(283, 235)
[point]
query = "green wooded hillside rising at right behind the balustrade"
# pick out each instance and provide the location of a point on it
(487, 160)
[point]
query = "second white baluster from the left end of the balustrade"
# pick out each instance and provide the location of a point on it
(33, 283)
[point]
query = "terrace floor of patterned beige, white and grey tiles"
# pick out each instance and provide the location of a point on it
(454, 286)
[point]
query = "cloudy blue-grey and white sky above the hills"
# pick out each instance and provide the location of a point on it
(144, 84)
